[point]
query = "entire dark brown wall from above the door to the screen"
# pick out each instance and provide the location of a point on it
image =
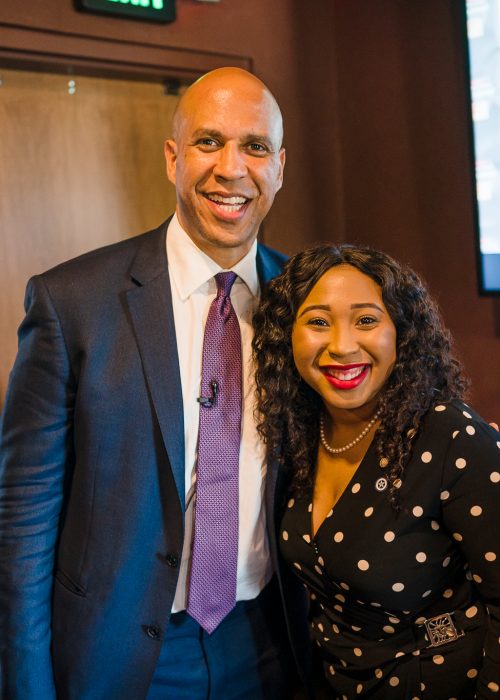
(373, 95)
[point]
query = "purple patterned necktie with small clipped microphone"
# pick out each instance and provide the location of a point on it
(212, 587)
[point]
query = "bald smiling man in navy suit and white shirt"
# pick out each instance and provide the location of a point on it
(99, 442)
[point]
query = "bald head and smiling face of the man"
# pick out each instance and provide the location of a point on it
(226, 160)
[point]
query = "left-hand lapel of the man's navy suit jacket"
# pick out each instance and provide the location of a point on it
(150, 305)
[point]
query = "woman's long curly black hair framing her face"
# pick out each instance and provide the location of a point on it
(425, 373)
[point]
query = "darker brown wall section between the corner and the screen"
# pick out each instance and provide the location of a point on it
(405, 162)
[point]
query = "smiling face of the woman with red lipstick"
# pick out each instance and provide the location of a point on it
(343, 339)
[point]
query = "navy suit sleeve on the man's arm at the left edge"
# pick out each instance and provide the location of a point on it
(36, 460)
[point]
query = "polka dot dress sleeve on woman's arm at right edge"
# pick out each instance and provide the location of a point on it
(470, 497)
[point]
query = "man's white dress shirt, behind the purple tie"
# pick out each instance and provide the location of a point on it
(193, 290)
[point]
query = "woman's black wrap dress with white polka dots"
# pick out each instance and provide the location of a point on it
(376, 577)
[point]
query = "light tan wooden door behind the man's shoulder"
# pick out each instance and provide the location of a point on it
(81, 166)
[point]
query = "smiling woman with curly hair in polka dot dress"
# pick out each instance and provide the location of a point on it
(392, 518)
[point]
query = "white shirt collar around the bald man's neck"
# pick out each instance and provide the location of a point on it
(190, 267)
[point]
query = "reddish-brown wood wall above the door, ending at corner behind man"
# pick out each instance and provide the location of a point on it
(287, 43)
